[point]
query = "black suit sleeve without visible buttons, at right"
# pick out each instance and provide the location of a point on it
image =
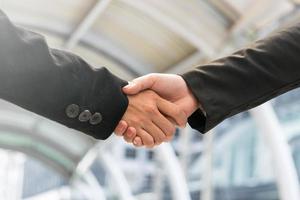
(245, 79)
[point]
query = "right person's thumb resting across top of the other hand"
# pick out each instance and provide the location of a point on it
(139, 84)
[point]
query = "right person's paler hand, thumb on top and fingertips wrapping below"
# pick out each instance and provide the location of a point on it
(170, 87)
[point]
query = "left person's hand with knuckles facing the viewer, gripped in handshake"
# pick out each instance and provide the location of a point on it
(147, 113)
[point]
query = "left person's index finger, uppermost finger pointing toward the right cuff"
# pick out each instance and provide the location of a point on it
(172, 110)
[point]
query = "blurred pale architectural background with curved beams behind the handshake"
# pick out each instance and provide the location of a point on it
(252, 156)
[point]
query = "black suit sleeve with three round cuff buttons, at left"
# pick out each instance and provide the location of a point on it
(47, 81)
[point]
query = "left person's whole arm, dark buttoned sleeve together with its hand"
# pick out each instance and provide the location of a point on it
(64, 88)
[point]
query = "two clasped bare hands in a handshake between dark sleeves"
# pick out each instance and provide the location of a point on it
(157, 104)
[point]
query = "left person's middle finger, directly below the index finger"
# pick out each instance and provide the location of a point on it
(166, 126)
